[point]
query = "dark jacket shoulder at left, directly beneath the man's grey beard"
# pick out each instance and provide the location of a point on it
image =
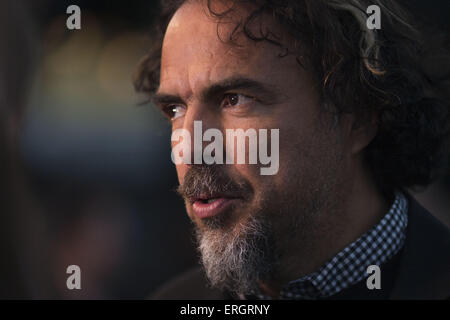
(190, 285)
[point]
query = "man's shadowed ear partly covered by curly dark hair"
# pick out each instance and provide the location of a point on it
(362, 133)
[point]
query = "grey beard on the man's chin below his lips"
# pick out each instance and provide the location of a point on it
(237, 261)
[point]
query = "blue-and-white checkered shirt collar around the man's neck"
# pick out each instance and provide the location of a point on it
(349, 266)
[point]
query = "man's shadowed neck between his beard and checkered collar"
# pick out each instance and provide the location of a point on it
(357, 211)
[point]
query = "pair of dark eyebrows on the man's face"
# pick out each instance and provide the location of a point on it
(267, 91)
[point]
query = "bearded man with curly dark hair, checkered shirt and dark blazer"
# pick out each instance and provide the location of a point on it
(359, 122)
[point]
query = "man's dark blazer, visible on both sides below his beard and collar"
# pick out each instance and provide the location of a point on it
(423, 270)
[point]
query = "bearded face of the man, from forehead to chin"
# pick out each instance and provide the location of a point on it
(248, 86)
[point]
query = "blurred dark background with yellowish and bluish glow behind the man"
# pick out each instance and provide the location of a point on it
(96, 165)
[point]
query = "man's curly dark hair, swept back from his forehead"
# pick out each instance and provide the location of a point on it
(360, 71)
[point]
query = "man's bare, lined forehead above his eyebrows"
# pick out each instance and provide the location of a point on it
(196, 52)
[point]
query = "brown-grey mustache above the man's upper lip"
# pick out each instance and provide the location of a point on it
(210, 181)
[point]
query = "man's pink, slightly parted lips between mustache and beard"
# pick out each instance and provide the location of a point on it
(210, 206)
